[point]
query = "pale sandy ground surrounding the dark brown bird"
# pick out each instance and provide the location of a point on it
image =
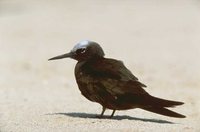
(158, 41)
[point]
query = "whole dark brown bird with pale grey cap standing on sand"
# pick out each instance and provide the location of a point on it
(108, 82)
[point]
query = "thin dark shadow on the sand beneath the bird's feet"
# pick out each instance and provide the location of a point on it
(119, 117)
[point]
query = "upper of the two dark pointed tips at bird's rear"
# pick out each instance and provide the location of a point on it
(157, 102)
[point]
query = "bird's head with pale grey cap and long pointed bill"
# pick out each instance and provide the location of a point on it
(84, 50)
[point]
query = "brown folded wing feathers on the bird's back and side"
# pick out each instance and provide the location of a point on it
(115, 77)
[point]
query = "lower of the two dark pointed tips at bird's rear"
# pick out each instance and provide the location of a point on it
(164, 111)
